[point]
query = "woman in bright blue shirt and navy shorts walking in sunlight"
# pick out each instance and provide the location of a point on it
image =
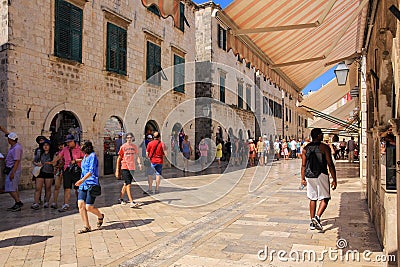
(89, 180)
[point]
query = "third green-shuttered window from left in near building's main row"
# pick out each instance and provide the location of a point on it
(153, 63)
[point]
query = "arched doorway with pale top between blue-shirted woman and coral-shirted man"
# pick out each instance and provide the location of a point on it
(112, 141)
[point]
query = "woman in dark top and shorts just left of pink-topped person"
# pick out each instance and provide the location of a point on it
(45, 177)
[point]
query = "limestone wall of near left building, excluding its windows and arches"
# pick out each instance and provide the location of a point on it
(44, 84)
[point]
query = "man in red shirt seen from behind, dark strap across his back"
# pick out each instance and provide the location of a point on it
(155, 152)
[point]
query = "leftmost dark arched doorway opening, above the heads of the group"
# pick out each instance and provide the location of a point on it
(64, 123)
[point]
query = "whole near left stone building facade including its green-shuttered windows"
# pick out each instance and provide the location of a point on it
(59, 75)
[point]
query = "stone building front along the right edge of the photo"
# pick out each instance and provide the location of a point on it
(381, 111)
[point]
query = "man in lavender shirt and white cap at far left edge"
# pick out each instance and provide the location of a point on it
(13, 168)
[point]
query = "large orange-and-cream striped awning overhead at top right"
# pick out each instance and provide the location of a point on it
(302, 38)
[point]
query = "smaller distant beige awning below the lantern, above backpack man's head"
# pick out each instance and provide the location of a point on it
(341, 118)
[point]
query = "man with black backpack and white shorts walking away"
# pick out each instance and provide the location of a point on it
(316, 158)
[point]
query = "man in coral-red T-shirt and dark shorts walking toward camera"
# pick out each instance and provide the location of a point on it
(126, 163)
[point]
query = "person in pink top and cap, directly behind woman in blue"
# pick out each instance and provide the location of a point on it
(72, 155)
